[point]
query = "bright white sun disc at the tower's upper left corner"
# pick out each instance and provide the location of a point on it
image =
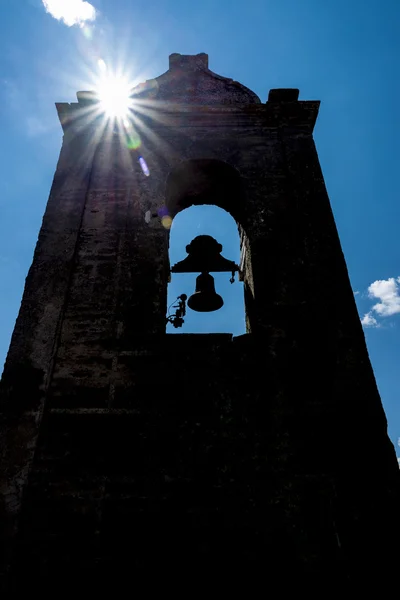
(114, 94)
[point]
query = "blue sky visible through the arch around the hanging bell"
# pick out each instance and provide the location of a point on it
(207, 220)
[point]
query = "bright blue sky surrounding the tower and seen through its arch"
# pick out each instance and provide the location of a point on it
(345, 54)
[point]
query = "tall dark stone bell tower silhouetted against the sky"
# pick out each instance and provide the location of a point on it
(132, 455)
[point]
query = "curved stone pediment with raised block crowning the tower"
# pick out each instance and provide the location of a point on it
(190, 81)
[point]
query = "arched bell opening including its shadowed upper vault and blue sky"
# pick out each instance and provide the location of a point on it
(204, 198)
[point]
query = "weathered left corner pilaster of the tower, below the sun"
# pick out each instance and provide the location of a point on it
(30, 358)
